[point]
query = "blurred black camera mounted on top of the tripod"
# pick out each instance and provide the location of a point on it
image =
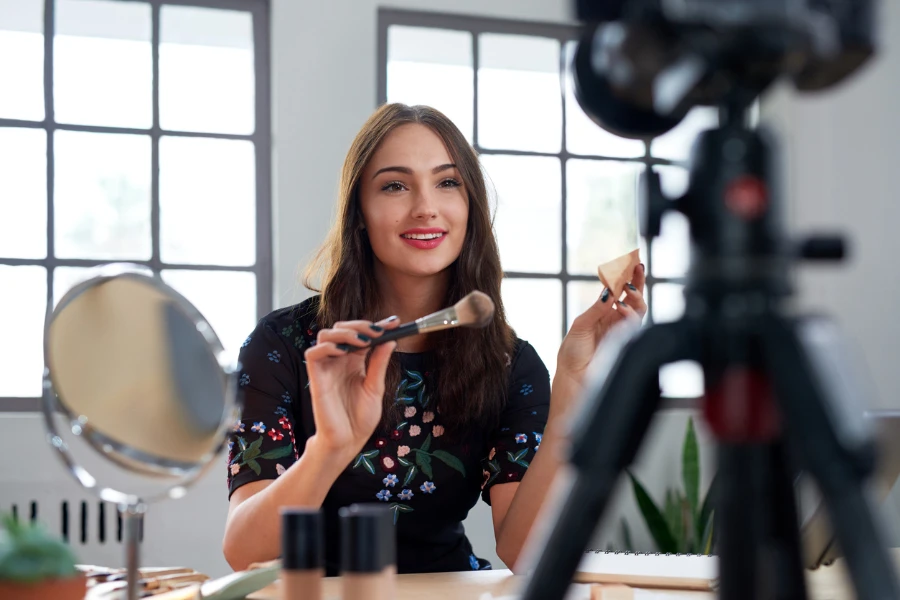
(641, 65)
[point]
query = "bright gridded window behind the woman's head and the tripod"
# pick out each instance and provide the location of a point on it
(566, 189)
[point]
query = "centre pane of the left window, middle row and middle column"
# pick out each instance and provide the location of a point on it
(102, 196)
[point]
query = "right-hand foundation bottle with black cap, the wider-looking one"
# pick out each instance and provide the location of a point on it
(368, 552)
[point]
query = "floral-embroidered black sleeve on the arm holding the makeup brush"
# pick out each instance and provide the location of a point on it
(262, 444)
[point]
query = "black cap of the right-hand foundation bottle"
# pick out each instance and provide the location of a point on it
(368, 538)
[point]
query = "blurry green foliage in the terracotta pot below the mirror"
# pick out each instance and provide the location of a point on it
(28, 554)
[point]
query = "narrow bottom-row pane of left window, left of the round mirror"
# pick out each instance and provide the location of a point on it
(22, 317)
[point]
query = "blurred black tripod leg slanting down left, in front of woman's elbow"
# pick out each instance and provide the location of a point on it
(619, 405)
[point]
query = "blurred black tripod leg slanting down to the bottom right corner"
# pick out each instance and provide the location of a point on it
(831, 440)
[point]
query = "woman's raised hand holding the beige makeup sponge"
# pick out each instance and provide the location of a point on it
(589, 329)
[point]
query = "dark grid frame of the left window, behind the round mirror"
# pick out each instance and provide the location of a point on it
(261, 139)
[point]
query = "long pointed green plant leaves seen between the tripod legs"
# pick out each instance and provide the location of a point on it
(685, 522)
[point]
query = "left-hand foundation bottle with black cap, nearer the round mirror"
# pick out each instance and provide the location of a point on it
(302, 554)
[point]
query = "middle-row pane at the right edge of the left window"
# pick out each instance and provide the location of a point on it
(207, 196)
